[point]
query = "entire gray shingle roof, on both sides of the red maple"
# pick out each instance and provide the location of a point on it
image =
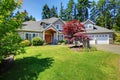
(35, 26)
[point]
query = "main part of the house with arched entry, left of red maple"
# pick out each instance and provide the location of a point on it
(48, 29)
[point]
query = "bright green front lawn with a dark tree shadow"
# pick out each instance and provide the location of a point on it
(61, 63)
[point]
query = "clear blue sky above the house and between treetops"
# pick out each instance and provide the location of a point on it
(34, 7)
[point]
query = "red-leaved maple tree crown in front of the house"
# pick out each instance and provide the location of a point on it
(74, 31)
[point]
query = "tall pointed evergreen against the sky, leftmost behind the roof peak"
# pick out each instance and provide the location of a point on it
(45, 12)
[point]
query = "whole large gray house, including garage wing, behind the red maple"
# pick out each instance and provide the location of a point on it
(50, 31)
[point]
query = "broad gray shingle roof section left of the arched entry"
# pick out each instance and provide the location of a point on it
(31, 26)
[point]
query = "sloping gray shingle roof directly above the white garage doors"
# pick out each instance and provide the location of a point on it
(98, 29)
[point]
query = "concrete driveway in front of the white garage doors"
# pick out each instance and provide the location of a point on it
(110, 48)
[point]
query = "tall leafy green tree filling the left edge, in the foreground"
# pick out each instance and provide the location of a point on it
(9, 39)
